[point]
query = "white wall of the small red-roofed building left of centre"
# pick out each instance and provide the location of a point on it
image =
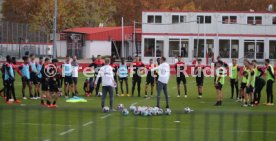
(96, 48)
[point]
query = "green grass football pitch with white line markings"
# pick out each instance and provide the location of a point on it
(86, 121)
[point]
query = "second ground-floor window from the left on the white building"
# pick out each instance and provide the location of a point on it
(178, 47)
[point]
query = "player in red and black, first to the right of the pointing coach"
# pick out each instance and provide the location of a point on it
(180, 76)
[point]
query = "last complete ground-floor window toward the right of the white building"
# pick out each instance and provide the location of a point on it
(254, 49)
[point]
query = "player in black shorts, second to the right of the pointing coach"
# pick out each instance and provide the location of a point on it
(199, 77)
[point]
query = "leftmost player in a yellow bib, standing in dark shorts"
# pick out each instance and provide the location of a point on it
(219, 82)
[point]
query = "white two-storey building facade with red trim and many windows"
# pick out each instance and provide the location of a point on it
(207, 35)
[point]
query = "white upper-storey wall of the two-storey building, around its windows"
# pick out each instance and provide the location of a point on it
(216, 27)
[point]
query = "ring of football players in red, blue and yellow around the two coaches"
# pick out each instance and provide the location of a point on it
(45, 79)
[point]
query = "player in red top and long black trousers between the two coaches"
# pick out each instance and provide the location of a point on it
(136, 66)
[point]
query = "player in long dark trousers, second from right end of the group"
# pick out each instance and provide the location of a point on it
(259, 82)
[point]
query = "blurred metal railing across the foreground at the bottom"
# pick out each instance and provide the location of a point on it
(67, 123)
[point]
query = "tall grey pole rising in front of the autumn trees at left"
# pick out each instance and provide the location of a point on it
(55, 30)
